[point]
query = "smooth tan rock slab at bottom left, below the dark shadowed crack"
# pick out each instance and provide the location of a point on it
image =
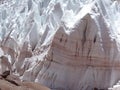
(7, 85)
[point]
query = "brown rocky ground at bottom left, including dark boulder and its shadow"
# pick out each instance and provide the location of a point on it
(11, 82)
